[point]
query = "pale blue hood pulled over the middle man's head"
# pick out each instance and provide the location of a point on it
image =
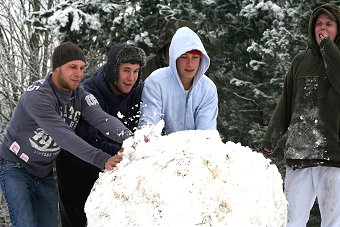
(183, 41)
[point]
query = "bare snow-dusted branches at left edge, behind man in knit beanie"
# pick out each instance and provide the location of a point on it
(24, 53)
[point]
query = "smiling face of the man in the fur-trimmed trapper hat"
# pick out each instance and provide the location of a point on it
(127, 77)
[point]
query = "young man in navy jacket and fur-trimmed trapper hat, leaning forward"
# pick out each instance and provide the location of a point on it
(117, 87)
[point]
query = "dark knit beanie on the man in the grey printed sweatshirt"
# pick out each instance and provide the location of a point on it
(66, 52)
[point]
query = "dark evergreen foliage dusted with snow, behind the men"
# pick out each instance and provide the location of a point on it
(250, 42)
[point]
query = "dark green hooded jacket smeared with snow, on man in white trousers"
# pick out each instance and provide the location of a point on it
(306, 120)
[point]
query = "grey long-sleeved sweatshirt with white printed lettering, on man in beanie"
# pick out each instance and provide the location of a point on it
(43, 124)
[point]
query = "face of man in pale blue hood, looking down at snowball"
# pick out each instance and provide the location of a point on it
(187, 65)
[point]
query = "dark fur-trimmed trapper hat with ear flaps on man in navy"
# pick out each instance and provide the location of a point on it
(123, 53)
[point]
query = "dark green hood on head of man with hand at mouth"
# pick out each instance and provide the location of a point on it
(333, 12)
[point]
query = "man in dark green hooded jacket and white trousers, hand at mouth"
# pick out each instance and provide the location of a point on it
(307, 121)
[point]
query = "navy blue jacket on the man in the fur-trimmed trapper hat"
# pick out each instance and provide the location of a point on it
(125, 108)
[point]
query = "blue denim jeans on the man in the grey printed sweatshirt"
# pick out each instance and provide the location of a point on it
(32, 201)
